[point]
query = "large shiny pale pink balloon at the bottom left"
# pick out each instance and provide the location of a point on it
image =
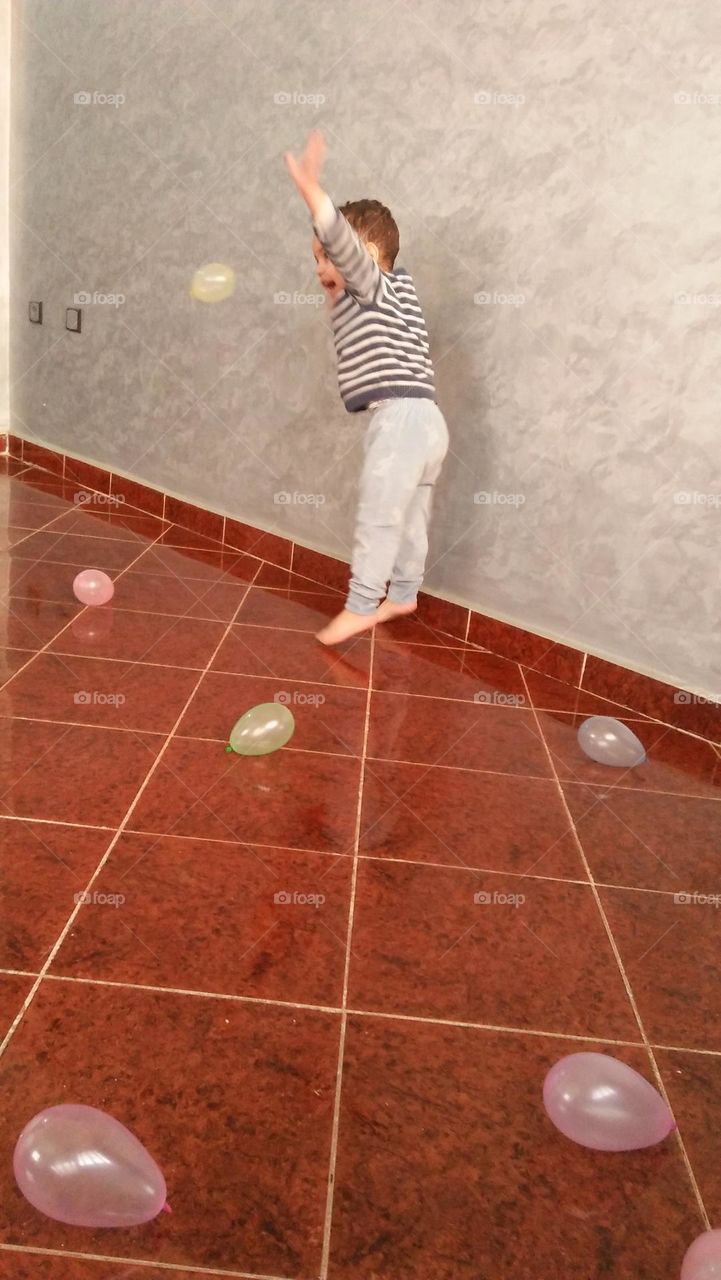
(79, 1165)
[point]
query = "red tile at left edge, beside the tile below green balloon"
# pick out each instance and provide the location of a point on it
(72, 772)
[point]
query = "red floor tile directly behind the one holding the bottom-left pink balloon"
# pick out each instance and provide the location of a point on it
(226, 918)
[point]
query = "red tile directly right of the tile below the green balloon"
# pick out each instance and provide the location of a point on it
(468, 820)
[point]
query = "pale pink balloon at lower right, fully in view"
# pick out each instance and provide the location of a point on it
(603, 1104)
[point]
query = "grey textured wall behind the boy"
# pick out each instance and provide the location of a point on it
(558, 161)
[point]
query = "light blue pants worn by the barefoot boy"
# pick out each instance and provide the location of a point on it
(405, 445)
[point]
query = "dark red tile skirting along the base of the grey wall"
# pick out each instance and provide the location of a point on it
(585, 671)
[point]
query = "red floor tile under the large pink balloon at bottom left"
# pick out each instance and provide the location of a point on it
(234, 1101)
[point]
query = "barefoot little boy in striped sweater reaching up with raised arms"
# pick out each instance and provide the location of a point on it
(384, 367)
